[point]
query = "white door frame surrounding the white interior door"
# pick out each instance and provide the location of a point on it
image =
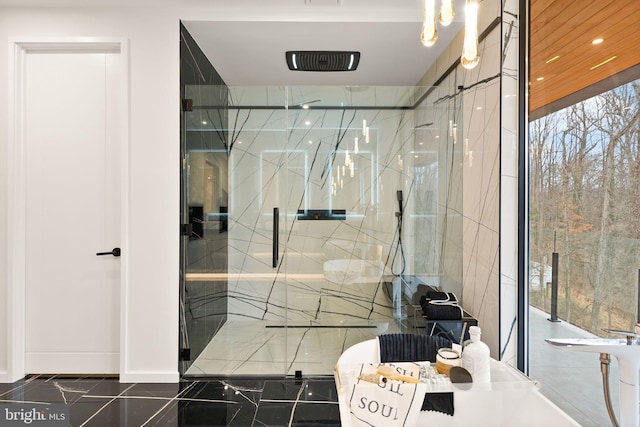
(16, 303)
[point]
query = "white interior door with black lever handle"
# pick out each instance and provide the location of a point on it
(72, 212)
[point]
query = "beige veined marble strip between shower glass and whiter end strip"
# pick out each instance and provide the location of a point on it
(482, 191)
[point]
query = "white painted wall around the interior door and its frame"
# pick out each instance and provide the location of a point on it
(151, 312)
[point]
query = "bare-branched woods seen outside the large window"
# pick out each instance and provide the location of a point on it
(585, 205)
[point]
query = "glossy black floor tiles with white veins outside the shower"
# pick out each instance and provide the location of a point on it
(215, 402)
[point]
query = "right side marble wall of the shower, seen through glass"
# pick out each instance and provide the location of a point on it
(438, 189)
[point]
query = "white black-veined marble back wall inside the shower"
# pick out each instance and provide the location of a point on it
(309, 159)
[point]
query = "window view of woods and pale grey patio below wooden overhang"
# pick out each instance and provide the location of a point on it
(584, 207)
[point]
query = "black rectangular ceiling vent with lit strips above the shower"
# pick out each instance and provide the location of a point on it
(322, 60)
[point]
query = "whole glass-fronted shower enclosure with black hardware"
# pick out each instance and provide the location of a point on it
(313, 218)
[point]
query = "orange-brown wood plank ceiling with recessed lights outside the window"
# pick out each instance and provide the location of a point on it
(566, 28)
